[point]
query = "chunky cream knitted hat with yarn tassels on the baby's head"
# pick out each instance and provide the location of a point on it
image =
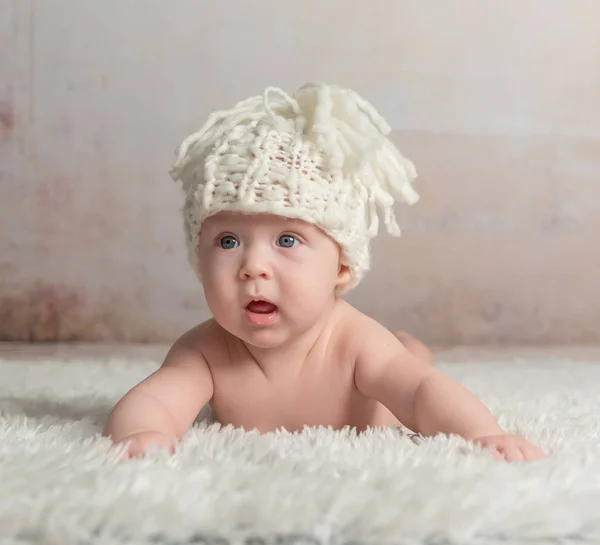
(320, 156)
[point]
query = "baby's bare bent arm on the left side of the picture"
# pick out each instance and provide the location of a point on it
(161, 408)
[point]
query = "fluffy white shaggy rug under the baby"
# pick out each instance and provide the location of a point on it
(61, 483)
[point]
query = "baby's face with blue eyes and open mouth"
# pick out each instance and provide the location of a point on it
(266, 278)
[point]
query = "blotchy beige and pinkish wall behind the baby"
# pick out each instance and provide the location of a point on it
(497, 103)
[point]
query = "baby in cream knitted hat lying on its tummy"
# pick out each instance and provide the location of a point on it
(282, 197)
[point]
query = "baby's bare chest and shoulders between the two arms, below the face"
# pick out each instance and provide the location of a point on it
(320, 390)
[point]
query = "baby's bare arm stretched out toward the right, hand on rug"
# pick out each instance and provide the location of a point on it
(423, 398)
